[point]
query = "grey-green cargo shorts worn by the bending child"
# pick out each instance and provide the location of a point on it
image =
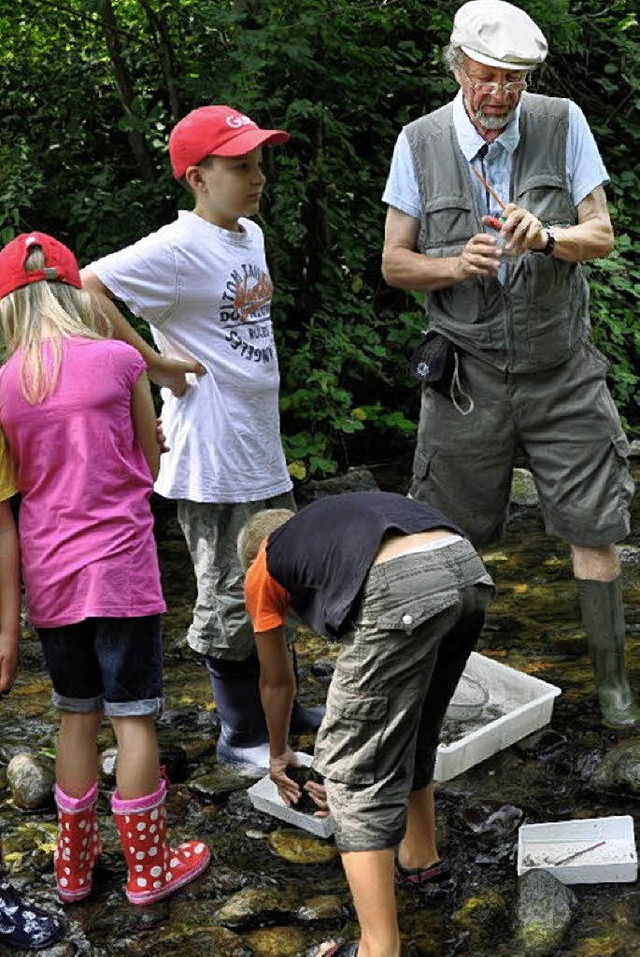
(419, 619)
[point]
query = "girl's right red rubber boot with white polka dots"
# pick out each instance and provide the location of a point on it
(155, 869)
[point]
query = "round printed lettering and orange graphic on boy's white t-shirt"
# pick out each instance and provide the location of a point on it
(246, 300)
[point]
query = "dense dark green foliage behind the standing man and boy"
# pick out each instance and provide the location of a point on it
(91, 88)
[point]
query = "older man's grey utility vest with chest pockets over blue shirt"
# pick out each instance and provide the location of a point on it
(541, 315)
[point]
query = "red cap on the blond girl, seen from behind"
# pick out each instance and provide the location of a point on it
(60, 263)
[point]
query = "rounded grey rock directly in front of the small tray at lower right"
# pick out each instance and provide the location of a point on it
(545, 908)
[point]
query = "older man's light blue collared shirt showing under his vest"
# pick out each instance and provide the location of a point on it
(585, 169)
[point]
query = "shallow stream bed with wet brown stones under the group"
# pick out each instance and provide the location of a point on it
(301, 896)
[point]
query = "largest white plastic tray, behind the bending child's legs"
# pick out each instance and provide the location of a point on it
(526, 704)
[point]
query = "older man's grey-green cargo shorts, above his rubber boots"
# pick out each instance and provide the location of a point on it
(567, 425)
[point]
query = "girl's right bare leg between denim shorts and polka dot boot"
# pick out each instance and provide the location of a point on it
(138, 764)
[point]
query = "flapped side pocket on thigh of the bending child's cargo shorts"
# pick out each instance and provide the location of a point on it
(347, 744)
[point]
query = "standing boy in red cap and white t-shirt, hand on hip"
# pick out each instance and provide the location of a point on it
(203, 285)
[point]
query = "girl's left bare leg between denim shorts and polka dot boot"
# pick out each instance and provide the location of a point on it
(77, 752)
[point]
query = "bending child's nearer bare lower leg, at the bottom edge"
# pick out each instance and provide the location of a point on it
(370, 876)
